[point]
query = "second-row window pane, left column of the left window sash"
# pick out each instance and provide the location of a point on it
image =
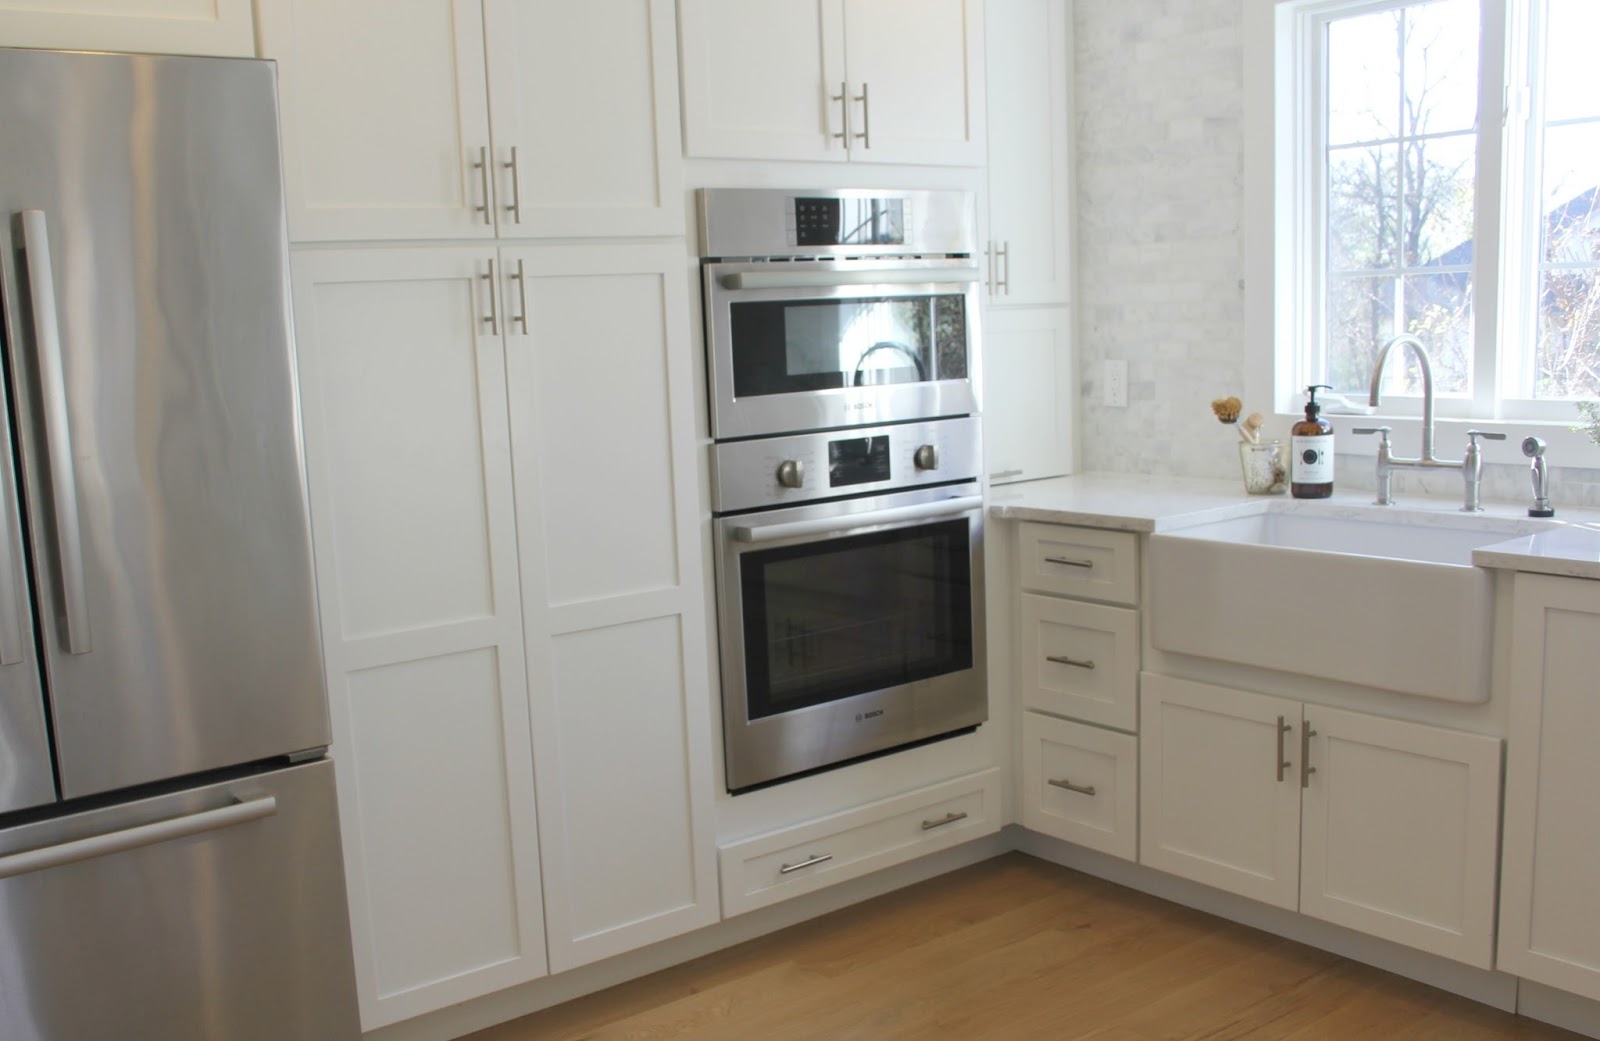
(1364, 213)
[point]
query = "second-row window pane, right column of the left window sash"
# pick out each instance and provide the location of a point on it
(1441, 183)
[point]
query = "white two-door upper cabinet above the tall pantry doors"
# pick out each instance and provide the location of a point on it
(473, 119)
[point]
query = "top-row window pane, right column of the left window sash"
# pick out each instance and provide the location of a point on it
(1441, 68)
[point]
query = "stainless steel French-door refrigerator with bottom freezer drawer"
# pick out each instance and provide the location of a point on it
(169, 839)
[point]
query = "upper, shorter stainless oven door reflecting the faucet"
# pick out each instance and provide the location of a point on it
(820, 345)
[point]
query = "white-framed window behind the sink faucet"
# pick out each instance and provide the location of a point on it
(1438, 173)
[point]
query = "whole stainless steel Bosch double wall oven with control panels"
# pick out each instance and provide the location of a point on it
(842, 356)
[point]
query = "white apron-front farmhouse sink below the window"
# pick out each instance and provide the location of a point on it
(1377, 599)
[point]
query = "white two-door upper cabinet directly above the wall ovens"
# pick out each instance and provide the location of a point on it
(834, 81)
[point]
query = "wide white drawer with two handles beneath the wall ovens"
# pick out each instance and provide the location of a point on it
(785, 864)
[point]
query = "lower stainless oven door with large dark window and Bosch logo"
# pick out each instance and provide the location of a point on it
(850, 629)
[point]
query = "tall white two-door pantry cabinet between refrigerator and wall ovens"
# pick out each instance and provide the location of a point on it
(510, 578)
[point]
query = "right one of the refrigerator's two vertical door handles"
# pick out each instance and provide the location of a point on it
(58, 434)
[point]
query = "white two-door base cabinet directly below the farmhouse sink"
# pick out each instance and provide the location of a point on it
(1375, 824)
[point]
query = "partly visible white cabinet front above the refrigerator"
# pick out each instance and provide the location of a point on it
(135, 26)
